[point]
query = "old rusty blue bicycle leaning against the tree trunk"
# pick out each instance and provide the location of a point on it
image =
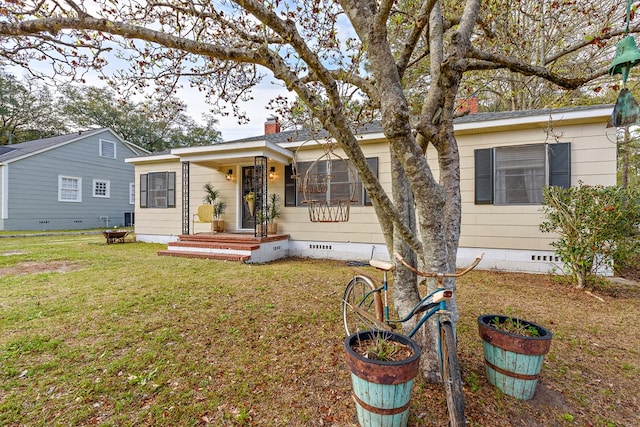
(366, 306)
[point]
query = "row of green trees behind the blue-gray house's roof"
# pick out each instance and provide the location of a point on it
(29, 111)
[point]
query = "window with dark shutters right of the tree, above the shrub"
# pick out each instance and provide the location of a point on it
(517, 174)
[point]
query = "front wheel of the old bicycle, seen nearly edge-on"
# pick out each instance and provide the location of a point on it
(450, 370)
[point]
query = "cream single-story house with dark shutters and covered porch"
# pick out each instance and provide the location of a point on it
(506, 159)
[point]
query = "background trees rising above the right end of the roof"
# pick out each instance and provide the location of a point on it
(543, 34)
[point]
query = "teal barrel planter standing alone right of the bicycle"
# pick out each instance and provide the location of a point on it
(512, 361)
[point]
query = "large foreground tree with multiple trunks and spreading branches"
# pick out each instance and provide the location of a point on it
(410, 61)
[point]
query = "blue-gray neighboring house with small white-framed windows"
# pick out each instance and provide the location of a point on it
(68, 182)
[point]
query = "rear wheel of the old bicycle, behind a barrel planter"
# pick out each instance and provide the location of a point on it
(360, 293)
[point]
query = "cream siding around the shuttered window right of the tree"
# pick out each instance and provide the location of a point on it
(517, 226)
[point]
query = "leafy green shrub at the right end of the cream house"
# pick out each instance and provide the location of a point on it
(598, 227)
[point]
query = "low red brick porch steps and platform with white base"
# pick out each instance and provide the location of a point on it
(242, 247)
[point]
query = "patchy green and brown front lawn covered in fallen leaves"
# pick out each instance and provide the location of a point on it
(113, 335)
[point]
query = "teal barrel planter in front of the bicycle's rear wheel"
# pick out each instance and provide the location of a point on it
(382, 389)
